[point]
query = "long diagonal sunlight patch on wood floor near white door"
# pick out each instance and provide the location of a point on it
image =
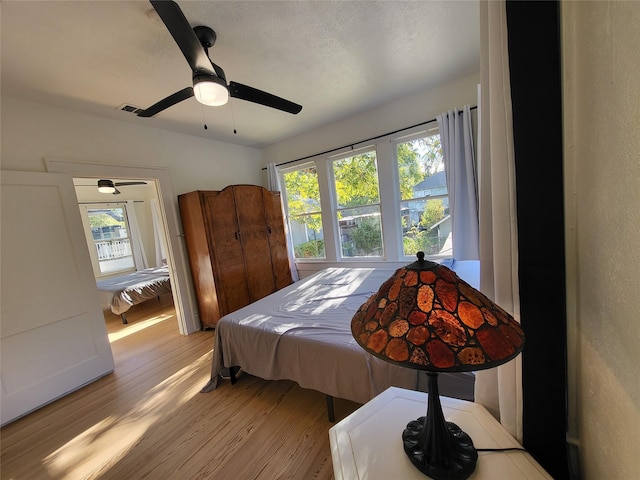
(91, 453)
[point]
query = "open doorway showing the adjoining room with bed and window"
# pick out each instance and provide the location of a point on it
(127, 245)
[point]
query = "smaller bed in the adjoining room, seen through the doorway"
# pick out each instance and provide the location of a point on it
(123, 292)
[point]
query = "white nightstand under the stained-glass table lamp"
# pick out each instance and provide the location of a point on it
(368, 443)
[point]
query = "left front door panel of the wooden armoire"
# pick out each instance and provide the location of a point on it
(226, 247)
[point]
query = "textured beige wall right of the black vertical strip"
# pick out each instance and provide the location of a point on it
(602, 164)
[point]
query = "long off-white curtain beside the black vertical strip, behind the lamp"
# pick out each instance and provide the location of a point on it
(499, 389)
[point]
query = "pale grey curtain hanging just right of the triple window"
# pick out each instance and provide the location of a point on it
(456, 135)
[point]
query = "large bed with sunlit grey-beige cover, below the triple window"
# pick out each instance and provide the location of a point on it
(303, 333)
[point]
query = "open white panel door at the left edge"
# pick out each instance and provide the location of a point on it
(52, 331)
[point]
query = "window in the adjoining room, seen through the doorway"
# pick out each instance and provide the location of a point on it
(110, 232)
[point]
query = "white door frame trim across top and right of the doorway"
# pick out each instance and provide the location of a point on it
(179, 273)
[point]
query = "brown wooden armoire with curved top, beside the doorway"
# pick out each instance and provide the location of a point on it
(237, 247)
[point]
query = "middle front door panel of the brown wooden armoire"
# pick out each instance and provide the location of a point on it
(254, 233)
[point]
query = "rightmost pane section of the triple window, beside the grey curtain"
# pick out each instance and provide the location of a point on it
(424, 204)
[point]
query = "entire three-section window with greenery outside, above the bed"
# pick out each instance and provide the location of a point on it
(382, 202)
